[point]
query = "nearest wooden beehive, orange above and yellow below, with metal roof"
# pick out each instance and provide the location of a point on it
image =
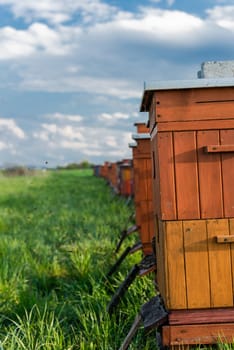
(192, 133)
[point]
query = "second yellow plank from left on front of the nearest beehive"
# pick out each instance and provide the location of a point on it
(196, 264)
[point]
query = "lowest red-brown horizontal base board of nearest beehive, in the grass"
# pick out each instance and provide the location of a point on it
(198, 334)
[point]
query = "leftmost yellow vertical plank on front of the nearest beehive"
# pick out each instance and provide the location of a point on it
(177, 298)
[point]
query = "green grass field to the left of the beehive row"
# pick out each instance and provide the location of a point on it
(58, 231)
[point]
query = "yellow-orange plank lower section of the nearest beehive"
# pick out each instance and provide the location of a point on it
(194, 270)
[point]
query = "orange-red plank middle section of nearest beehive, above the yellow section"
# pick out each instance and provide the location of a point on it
(190, 183)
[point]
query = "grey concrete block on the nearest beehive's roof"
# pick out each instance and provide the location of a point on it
(216, 69)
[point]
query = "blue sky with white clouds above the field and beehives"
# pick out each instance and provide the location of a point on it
(72, 71)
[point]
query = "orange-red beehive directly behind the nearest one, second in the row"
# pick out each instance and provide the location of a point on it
(142, 166)
